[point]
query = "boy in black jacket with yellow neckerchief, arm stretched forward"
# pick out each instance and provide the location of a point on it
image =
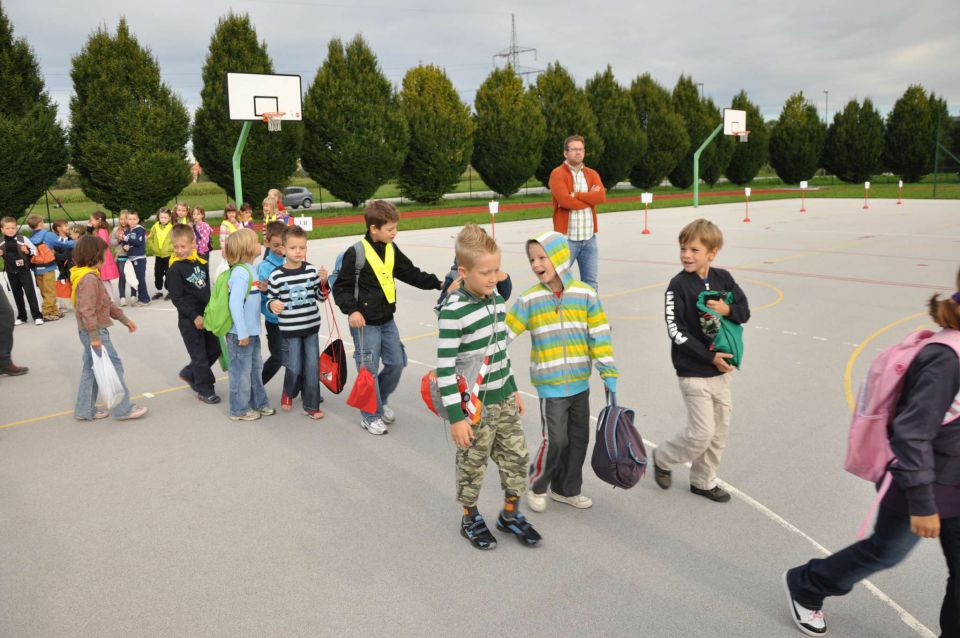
(368, 296)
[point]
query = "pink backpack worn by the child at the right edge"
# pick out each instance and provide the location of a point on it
(868, 442)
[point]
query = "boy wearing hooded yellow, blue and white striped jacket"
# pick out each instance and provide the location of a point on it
(569, 330)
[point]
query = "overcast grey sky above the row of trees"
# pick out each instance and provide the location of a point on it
(853, 48)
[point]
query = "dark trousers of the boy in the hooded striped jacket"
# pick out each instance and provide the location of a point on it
(566, 434)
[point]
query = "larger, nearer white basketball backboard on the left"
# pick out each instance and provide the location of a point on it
(250, 95)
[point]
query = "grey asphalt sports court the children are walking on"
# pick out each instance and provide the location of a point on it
(189, 524)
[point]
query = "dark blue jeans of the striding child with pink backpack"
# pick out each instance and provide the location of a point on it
(890, 543)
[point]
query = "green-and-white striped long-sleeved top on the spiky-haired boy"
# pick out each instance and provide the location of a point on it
(467, 323)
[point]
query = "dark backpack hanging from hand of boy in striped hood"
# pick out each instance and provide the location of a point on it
(619, 456)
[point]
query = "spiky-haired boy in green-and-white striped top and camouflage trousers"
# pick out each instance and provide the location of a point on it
(473, 344)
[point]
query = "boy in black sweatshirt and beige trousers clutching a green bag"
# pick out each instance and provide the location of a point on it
(703, 372)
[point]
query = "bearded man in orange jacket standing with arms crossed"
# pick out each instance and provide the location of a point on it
(577, 190)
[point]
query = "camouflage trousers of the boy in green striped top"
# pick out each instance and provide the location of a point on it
(498, 436)
